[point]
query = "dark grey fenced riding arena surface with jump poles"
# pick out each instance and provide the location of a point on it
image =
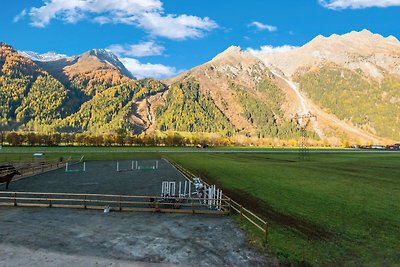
(101, 177)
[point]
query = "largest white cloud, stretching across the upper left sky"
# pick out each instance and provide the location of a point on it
(146, 14)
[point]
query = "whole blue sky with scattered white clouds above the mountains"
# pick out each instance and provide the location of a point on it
(161, 38)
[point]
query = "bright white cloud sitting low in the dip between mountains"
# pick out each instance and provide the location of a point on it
(148, 70)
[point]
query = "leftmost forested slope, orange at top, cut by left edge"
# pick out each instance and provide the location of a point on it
(27, 92)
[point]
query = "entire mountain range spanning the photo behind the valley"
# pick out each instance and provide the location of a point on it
(349, 83)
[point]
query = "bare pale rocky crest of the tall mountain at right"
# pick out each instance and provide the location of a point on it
(371, 53)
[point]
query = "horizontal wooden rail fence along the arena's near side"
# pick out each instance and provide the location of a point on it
(116, 202)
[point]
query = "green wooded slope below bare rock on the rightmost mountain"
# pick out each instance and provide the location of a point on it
(352, 96)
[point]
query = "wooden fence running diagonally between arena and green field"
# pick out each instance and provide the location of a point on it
(254, 219)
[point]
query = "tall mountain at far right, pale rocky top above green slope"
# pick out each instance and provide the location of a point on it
(351, 81)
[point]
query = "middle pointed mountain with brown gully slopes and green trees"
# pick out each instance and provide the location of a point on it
(242, 96)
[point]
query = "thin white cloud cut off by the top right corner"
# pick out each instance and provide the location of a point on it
(356, 4)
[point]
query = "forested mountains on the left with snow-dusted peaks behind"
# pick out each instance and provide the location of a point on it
(83, 93)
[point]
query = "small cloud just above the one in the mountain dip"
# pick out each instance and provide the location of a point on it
(142, 49)
